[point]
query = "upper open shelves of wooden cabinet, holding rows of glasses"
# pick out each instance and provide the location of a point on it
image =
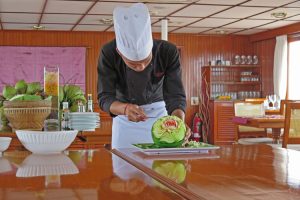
(236, 81)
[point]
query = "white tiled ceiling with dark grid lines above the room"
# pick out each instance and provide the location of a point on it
(242, 17)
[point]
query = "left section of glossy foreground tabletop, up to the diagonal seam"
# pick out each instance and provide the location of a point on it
(81, 175)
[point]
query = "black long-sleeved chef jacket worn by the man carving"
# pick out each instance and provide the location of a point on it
(160, 81)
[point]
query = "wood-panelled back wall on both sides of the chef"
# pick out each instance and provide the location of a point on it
(197, 51)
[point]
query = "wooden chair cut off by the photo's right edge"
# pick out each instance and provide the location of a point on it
(292, 124)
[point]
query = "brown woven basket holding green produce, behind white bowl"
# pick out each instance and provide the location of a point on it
(29, 115)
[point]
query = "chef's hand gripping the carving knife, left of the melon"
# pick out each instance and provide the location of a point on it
(135, 113)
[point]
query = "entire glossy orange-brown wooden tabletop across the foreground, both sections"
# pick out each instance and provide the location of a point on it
(240, 172)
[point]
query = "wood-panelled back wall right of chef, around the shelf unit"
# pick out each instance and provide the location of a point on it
(197, 51)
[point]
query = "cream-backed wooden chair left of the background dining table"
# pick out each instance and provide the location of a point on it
(246, 134)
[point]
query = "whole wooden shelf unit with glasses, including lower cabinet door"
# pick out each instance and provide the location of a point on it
(236, 81)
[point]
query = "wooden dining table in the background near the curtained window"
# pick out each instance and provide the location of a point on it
(275, 122)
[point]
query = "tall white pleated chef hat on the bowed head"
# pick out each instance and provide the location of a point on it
(133, 31)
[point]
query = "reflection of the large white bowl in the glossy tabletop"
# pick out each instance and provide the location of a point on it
(45, 165)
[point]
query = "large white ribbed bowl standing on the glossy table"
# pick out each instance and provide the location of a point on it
(46, 142)
